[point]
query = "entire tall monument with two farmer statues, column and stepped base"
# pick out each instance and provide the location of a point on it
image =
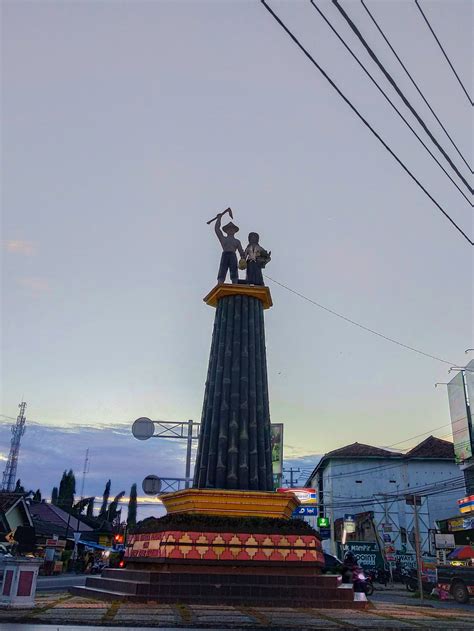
(229, 539)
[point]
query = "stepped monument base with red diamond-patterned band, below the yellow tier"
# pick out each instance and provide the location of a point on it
(215, 560)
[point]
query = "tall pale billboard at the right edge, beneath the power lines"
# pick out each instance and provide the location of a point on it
(459, 418)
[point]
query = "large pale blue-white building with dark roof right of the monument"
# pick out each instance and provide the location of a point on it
(372, 484)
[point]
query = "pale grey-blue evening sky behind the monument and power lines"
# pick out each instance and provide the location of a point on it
(127, 125)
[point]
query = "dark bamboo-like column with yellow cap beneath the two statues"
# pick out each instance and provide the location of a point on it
(234, 449)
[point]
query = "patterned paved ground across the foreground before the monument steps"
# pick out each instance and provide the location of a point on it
(64, 609)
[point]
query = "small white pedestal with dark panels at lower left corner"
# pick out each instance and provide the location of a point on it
(20, 575)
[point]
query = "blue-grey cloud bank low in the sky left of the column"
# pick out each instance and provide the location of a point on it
(46, 451)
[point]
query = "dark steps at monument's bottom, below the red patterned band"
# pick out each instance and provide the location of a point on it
(231, 586)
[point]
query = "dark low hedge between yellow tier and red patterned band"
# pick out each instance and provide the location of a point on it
(218, 523)
